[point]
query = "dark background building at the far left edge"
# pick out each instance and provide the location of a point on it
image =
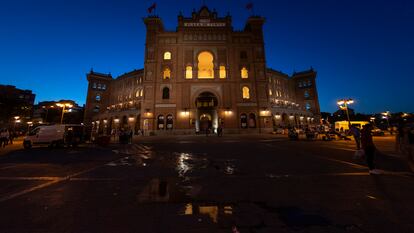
(16, 106)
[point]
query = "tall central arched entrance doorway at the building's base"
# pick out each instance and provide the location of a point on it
(207, 118)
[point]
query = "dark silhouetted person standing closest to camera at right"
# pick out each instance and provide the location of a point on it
(369, 148)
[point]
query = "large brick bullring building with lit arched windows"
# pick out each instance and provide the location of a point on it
(201, 76)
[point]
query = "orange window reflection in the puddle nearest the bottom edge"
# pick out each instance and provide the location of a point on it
(213, 211)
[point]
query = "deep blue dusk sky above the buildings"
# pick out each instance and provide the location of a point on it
(360, 49)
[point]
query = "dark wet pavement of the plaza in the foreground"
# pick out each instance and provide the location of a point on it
(250, 183)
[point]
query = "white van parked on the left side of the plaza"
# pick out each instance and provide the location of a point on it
(54, 135)
